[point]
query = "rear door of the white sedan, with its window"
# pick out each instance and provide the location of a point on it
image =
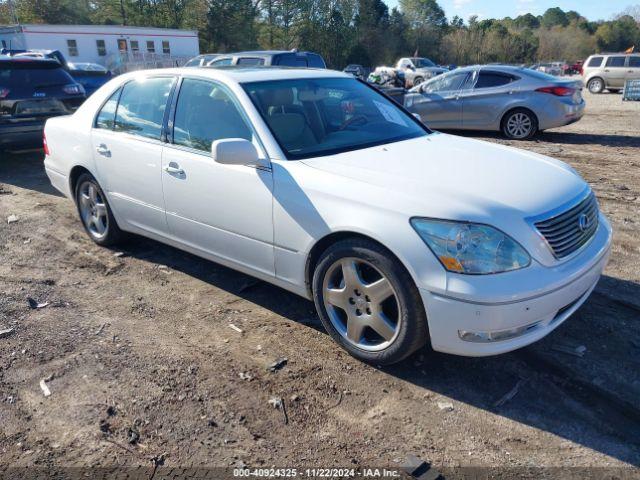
(127, 143)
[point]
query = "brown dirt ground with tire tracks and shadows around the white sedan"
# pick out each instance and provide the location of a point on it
(141, 361)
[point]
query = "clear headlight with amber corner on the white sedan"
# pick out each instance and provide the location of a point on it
(471, 248)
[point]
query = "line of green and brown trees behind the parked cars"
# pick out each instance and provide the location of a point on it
(352, 31)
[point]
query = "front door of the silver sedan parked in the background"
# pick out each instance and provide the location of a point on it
(439, 102)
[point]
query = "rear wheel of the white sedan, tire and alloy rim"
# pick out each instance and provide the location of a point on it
(95, 213)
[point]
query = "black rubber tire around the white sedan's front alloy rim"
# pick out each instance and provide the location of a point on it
(411, 328)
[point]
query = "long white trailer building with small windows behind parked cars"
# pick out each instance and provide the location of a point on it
(114, 46)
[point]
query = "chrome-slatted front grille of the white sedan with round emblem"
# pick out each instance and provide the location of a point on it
(567, 232)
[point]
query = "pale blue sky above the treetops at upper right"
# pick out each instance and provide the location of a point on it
(592, 9)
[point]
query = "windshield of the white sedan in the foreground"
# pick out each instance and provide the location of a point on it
(315, 117)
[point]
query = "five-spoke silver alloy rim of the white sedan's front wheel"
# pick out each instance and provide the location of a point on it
(361, 304)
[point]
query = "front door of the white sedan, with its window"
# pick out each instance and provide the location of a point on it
(223, 210)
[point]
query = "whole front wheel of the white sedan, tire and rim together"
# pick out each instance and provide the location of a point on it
(368, 302)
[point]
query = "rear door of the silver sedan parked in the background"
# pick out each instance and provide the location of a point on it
(483, 104)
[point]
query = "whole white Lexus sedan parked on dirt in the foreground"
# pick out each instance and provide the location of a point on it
(317, 183)
